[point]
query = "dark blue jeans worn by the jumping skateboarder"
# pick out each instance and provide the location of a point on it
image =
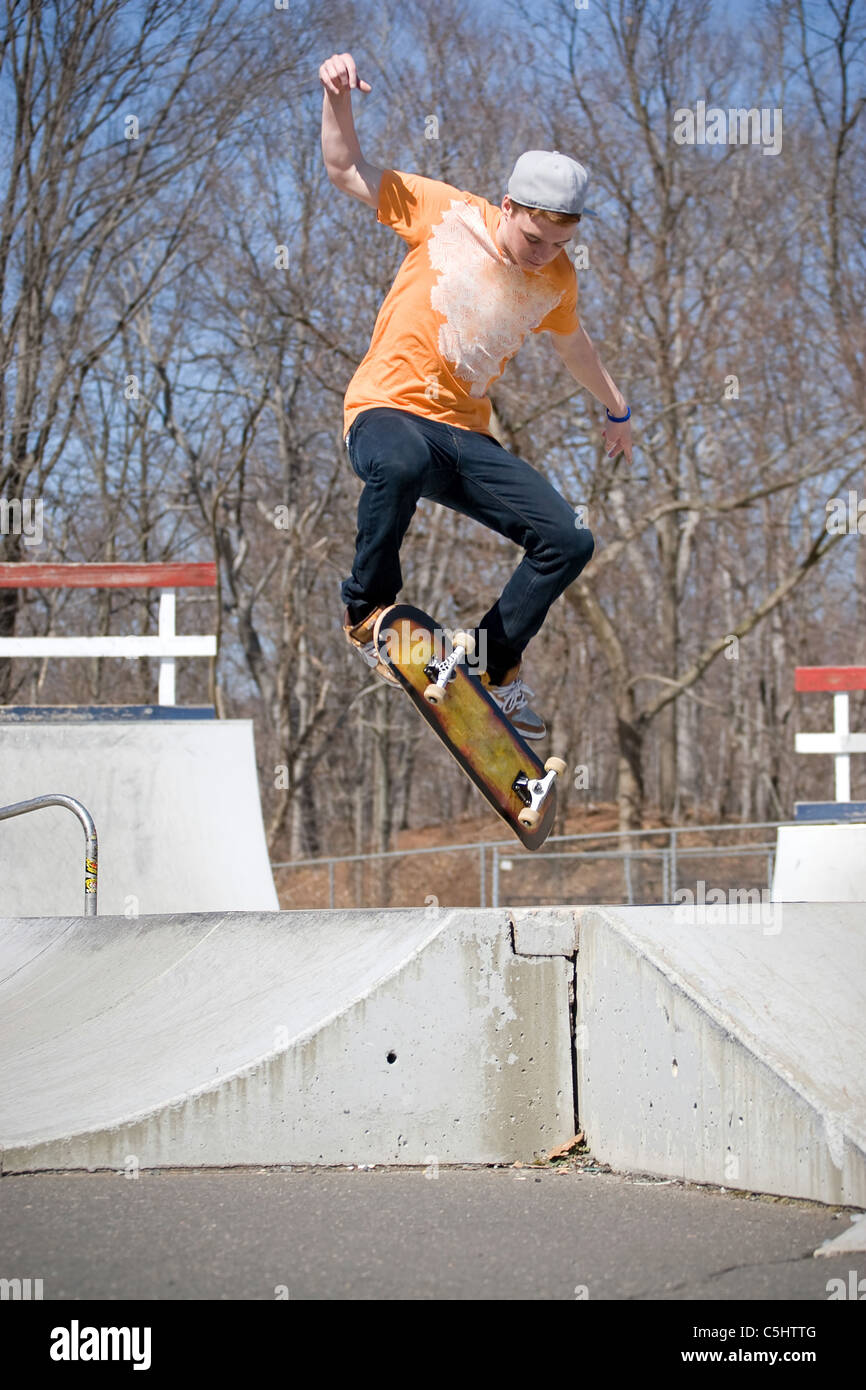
(401, 458)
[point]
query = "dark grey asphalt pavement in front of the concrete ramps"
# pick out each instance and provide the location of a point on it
(468, 1234)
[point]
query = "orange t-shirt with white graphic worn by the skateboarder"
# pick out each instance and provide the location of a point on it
(458, 311)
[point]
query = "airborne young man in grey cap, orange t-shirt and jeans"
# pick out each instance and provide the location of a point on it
(476, 280)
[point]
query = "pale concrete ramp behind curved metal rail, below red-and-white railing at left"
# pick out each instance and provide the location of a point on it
(177, 812)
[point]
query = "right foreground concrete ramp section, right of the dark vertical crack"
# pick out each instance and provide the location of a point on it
(726, 1045)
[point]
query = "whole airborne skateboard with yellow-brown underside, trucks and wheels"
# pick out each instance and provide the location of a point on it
(434, 669)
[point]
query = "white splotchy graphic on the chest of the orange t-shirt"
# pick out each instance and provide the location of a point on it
(489, 305)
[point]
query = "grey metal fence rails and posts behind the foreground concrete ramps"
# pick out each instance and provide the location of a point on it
(497, 857)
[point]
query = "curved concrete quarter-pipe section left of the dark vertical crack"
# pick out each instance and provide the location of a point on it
(295, 1038)
